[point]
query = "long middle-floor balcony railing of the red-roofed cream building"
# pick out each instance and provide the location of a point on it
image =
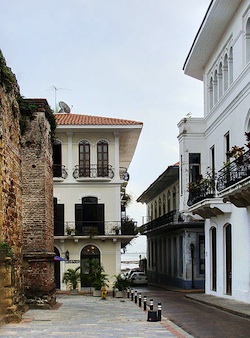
(94, 228)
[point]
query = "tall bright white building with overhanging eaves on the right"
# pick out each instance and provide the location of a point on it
(214, 150)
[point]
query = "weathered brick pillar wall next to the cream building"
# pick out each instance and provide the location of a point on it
(38, 233)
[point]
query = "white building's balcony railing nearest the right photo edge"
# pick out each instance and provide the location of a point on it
(234, 172)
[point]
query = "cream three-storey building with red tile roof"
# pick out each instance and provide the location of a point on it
(91, 158)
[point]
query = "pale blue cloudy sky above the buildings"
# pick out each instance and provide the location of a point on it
(111, 58)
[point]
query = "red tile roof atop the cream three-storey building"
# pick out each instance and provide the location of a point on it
(79, 119)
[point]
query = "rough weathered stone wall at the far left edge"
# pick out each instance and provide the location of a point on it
(11, 291)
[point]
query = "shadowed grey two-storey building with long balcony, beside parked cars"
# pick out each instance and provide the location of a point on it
(175, 243)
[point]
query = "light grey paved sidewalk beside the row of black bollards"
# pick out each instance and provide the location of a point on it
(88, 316)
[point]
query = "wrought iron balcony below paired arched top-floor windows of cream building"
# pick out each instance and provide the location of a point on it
(93, 171)
